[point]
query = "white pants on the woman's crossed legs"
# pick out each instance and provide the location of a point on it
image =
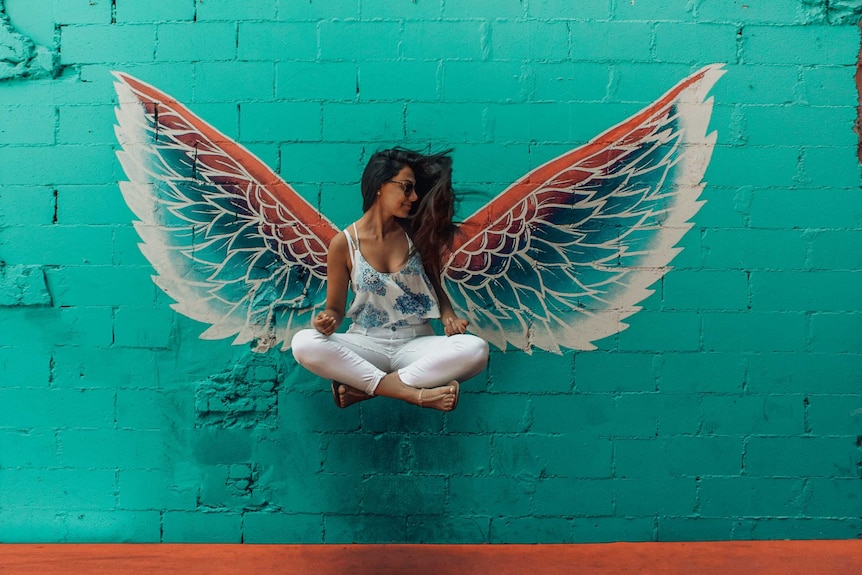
(361, 357)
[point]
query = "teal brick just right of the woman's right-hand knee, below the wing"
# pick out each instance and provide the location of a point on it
(511, 372)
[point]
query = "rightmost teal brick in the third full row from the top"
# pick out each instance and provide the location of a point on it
(799, 125)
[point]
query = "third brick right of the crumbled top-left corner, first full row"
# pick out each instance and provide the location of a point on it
(268, 41)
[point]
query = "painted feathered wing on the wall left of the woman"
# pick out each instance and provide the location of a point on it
(232, 243)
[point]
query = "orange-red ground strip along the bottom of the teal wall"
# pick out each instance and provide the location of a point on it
(713, 558)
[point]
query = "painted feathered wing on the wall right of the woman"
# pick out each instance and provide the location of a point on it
(562, 256)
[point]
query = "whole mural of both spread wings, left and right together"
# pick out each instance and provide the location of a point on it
(556, 261)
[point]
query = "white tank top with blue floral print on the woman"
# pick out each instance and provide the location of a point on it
(397, 299)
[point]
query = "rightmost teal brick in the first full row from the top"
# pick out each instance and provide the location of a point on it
(800, 45)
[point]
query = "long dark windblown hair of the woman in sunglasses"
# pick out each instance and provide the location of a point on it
(430, 223)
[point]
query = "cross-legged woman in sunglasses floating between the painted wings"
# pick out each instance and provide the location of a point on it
(392, 257)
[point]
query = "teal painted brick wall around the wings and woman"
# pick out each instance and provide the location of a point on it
(731, 408)
